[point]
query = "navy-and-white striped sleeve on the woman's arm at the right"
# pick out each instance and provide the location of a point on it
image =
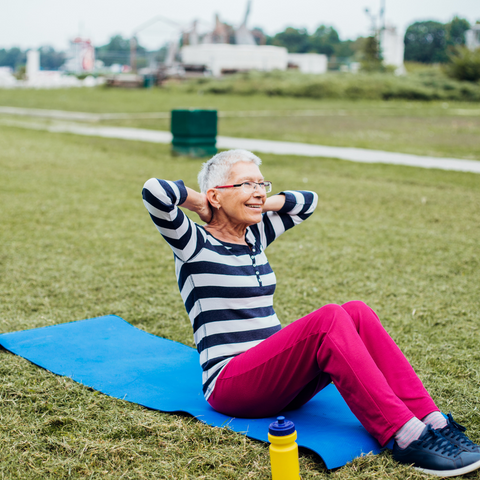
(299, 205)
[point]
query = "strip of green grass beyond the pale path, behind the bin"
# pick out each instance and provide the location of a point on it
(444, 129)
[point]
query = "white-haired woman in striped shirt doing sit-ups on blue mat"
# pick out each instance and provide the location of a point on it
(252, 367)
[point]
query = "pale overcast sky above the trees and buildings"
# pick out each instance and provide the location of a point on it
(33, 23)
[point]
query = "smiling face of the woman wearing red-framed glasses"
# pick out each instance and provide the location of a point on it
(239, 206)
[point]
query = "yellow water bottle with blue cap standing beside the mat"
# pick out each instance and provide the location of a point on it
(283, 450)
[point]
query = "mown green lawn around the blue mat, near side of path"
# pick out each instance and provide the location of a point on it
(77, 242)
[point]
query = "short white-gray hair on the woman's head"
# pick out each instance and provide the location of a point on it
(217, 170)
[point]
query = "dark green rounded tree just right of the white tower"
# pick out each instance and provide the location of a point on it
(425, 42)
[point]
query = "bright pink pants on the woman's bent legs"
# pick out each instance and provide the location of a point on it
(345, 344)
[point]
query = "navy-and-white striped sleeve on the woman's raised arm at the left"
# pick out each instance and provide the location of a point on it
(162, 198)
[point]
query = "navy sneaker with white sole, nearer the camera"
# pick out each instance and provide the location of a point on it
(434, 454)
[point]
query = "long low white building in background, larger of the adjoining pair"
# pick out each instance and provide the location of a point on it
(222, 58)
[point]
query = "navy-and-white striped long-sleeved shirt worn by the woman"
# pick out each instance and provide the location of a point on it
(227, 288)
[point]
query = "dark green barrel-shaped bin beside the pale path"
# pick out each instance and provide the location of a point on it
(194, 132)
